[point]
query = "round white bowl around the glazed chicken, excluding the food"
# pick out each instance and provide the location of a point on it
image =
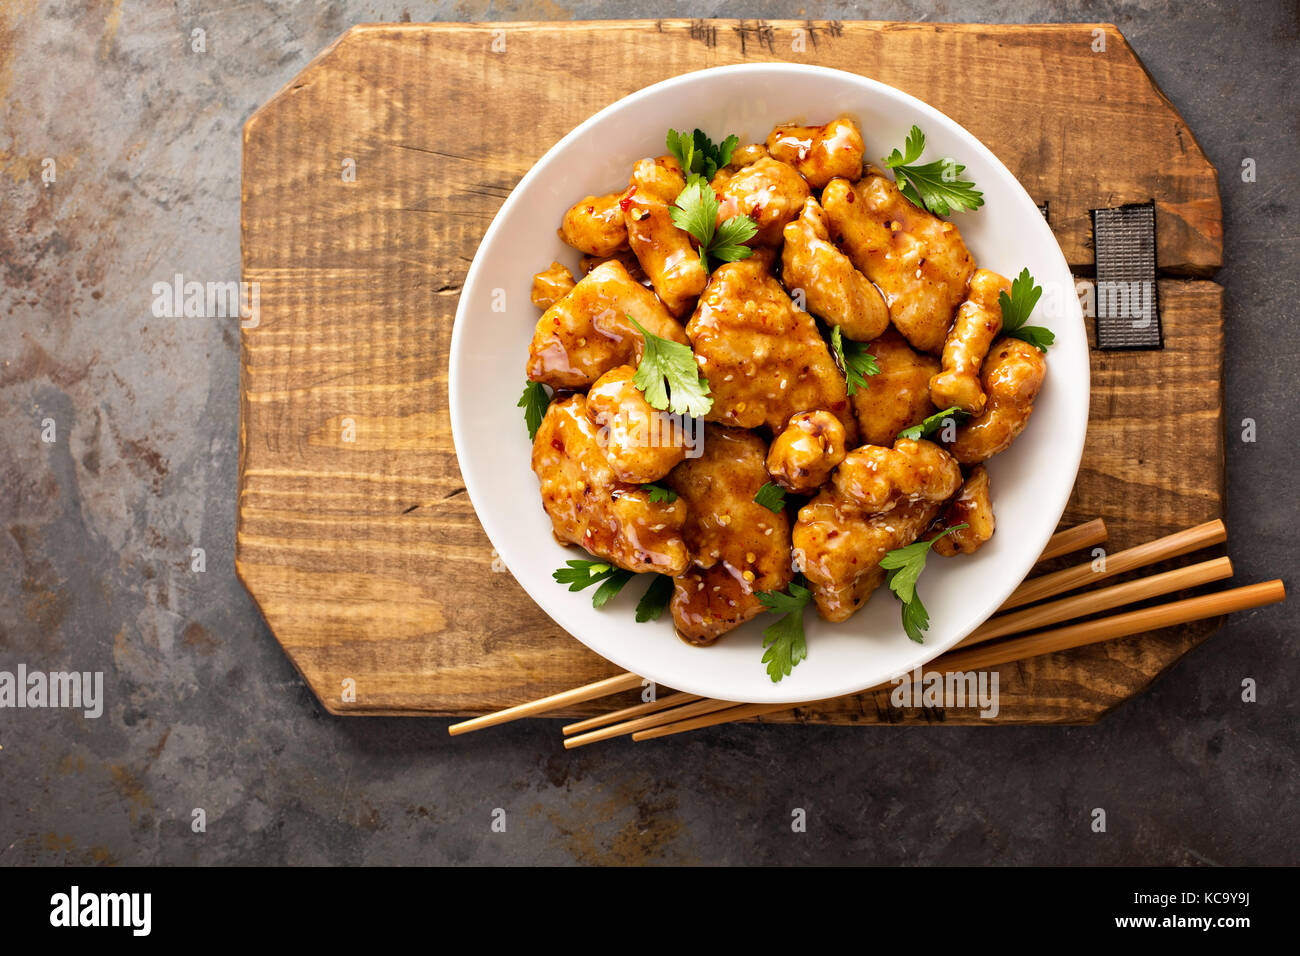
(1032, 482)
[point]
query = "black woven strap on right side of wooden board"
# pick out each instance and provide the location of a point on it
(1125, 250)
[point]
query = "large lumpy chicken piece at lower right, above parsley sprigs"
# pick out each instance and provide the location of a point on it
(839, 543)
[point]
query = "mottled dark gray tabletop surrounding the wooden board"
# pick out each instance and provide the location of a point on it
(205, 710)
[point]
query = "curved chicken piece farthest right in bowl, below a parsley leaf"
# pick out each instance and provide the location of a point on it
(1012, 378)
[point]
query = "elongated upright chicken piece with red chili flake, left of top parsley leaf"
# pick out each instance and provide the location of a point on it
(665, 252)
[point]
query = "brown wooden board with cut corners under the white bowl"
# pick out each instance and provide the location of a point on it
(354, 531)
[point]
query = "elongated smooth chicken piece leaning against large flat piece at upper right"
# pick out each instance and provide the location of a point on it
(834, 288)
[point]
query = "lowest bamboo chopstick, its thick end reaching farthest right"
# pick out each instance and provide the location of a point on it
(1033, 646)
